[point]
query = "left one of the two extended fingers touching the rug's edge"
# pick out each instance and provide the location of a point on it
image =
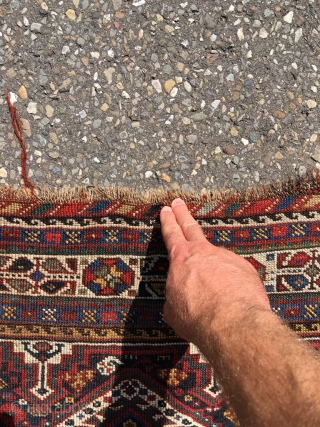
(171, 231)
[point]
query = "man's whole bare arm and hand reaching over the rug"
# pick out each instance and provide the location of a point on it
(216, 300)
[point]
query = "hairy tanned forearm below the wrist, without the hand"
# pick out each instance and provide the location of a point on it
(269, 376)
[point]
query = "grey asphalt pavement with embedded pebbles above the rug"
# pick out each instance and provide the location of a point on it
(147, 94)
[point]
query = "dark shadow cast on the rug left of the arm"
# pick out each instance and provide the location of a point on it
(145, 375)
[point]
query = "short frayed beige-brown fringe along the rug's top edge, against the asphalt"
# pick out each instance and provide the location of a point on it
(293, 186)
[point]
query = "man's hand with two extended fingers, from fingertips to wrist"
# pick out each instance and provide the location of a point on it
(205, 283)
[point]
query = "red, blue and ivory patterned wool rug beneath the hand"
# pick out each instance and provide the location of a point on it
(82, 280)
